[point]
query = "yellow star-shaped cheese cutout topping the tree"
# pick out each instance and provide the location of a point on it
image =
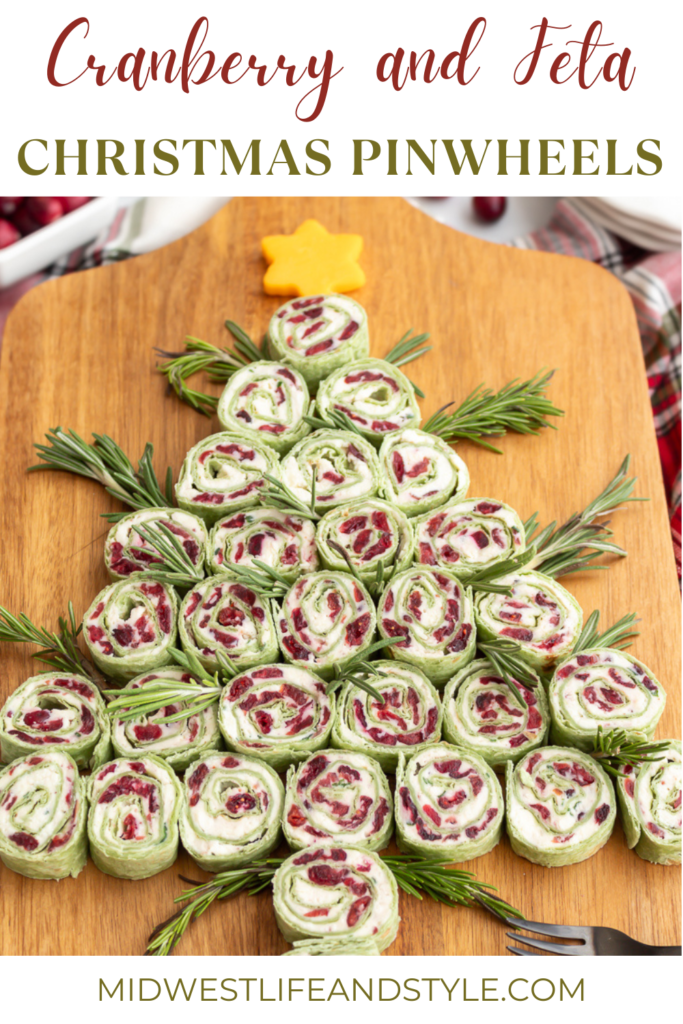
(312, 262)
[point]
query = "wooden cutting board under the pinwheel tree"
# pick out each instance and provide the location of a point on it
(78, 352)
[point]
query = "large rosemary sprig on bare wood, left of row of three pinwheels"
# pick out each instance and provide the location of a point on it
(106, 462)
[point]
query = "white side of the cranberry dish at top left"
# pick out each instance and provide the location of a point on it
(37, 251)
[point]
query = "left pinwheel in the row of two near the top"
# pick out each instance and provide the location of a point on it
(266, 402)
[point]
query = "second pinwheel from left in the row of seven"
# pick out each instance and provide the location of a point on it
(134, 817)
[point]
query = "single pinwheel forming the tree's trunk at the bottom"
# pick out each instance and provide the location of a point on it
(336, 892)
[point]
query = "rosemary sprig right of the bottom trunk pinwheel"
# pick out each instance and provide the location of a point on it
(446, 885)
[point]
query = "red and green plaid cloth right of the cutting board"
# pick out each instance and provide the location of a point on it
(654, 281)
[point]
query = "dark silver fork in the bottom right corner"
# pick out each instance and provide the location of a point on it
(593, 942)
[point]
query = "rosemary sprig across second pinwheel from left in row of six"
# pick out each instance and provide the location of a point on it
(129, 704)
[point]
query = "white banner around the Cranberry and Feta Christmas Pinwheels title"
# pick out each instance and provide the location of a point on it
(358, 106)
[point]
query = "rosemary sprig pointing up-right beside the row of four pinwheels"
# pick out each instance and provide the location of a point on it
(572, 547)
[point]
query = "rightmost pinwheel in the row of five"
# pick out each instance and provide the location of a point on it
(540, 617)
